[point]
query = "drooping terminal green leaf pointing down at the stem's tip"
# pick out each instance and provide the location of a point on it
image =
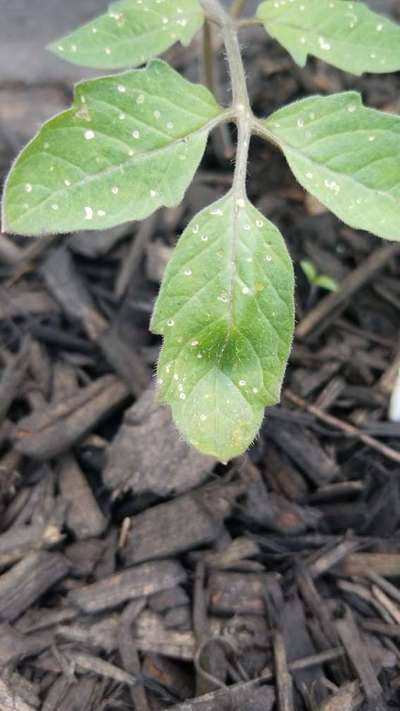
(225, 311)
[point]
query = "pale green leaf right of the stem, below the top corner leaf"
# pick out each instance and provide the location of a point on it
(347, 155)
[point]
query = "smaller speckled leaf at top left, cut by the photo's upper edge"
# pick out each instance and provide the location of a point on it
(131, 32)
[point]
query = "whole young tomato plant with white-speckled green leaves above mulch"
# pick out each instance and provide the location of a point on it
(131, 143)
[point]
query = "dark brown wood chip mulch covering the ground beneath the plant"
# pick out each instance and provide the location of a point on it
(136, 573)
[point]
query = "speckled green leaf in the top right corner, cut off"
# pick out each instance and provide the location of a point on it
(345, 34)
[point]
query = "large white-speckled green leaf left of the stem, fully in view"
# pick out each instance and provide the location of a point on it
(130, 143)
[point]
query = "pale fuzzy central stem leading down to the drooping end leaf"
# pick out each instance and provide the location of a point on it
(241, 104)
